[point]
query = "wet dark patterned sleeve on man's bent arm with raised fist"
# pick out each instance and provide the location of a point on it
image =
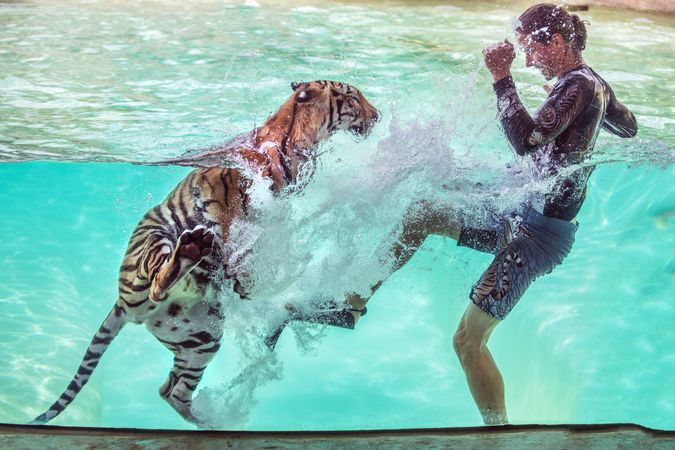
(527, 133)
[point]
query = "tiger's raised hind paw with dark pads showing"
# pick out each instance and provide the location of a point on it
(192, 246)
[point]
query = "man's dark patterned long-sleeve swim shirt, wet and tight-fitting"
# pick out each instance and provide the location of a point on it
(563, 131)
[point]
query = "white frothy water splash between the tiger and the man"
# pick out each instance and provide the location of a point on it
(332, 238)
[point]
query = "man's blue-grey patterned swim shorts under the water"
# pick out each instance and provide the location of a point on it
(526, 246)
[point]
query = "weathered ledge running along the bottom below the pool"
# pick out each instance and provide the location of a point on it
(517, 437)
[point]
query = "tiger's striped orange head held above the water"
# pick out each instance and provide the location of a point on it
(337, 105)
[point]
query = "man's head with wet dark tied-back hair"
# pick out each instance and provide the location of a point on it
(550, 37)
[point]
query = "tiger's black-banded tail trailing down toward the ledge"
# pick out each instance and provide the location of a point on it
(108, 330)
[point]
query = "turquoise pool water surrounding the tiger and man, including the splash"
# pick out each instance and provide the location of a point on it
(110, 83)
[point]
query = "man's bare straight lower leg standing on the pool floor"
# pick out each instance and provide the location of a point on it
(485, 381)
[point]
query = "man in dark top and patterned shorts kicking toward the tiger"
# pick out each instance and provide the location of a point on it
(533, 240)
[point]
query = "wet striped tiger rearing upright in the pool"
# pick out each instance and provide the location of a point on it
(175, 261)
